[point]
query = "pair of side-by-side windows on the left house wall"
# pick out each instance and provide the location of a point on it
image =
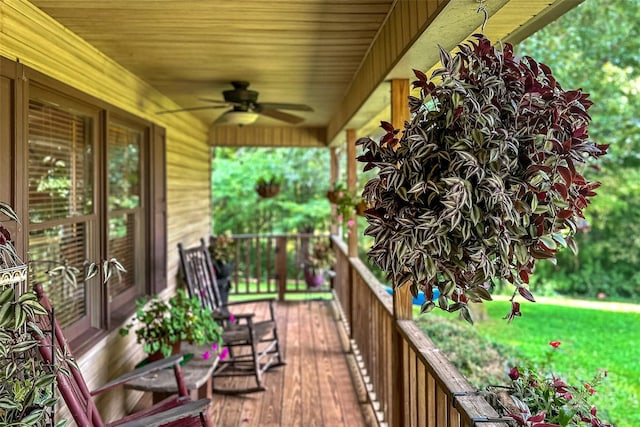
(90, 199)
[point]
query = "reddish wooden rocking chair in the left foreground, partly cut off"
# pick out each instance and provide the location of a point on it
(174, 411)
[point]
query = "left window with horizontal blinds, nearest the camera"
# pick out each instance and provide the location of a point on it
(61, 202)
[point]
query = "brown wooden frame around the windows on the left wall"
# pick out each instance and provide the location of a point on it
(21, 83)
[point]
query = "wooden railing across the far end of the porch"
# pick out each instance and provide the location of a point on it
(273, 264)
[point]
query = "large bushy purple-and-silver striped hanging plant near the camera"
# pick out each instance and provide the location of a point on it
(484, 180)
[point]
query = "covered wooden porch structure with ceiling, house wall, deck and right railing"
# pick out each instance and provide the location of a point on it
(117, 64)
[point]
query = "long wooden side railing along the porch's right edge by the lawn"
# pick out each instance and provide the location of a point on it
(411, 382)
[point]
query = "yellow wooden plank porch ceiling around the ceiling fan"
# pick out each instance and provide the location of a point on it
(293, 51)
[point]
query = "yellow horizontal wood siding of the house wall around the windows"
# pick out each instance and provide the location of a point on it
(39, 42)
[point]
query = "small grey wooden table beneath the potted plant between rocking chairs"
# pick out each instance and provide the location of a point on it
(197, 374)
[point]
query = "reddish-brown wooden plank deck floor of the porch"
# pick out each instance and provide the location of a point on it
(314, 388)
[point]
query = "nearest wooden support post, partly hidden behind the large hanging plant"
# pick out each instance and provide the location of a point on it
(402, 299)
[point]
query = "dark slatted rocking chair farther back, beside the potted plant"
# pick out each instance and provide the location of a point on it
(253, 345)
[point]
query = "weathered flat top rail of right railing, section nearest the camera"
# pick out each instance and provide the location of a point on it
(460, 391)
